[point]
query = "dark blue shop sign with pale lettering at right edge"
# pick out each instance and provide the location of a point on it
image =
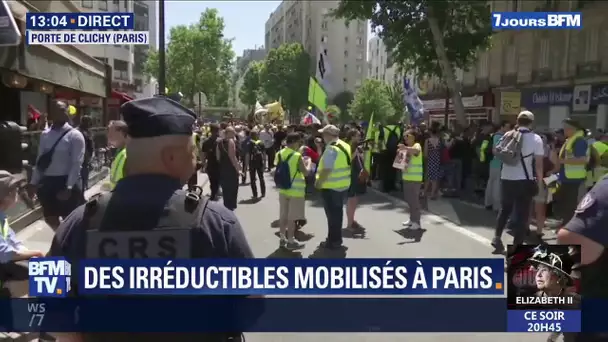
(580, 98)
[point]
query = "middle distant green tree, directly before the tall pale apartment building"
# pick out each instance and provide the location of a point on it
(285, 76)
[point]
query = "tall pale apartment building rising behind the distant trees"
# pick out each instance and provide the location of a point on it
(309, 23)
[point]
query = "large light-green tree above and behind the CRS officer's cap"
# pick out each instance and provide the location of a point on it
(198, 58)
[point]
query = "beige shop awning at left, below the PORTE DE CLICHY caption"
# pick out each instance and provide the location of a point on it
(65, 66)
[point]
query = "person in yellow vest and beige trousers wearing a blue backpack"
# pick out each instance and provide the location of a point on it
(292, 201)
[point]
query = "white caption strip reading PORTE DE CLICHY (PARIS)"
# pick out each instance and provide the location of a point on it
(87, 37)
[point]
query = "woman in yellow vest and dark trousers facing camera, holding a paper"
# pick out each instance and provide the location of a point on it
(412, 179)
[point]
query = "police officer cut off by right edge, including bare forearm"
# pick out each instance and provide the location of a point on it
(588, 229)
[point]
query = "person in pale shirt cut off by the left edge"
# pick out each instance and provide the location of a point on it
(14, 276)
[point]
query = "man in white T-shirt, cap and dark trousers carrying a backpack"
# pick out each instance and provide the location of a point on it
(520, 183)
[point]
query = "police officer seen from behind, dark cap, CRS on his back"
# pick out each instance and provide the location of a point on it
(148, 215)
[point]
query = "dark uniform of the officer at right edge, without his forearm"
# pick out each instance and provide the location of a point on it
(591, 220)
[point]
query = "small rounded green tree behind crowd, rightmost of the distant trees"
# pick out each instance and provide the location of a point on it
(371, 97)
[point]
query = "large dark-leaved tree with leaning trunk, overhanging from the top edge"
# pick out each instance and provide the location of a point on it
(431, 37)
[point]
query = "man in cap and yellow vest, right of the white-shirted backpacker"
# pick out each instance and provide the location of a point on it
(573, 157)
